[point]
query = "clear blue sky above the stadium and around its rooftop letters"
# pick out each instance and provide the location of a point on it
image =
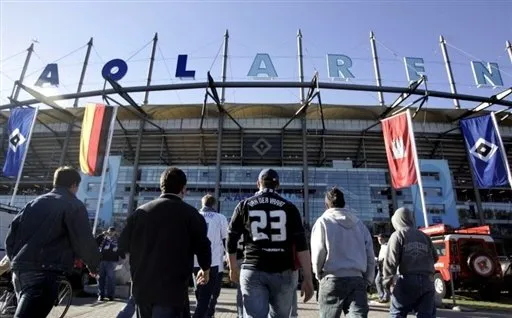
(475, 30)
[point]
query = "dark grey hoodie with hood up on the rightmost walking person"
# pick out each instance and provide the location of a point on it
(410, 250)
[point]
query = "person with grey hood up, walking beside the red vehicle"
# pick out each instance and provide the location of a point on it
(412, 252)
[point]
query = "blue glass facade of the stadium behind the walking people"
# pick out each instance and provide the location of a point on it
(367, 193)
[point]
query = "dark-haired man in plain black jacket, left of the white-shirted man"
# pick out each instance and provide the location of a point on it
(162, 237)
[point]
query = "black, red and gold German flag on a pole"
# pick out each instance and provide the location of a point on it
(94, 138)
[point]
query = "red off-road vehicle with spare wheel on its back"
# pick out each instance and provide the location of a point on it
(469, 258)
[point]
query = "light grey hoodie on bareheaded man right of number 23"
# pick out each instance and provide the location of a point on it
(341, 246)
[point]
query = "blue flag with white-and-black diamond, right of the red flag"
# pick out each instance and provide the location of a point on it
(487, 157)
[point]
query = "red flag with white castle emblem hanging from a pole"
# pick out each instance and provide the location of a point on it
(400, 150)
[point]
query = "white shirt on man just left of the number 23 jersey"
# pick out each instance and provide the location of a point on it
(217, 231)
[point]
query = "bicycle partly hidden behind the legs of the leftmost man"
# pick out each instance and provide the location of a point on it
(8, 301)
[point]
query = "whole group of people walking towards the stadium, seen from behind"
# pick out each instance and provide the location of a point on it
(167, 241)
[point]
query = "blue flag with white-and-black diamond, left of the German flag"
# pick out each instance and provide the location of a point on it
(19, 127)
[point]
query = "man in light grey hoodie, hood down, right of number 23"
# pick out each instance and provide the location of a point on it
(343, 259)
